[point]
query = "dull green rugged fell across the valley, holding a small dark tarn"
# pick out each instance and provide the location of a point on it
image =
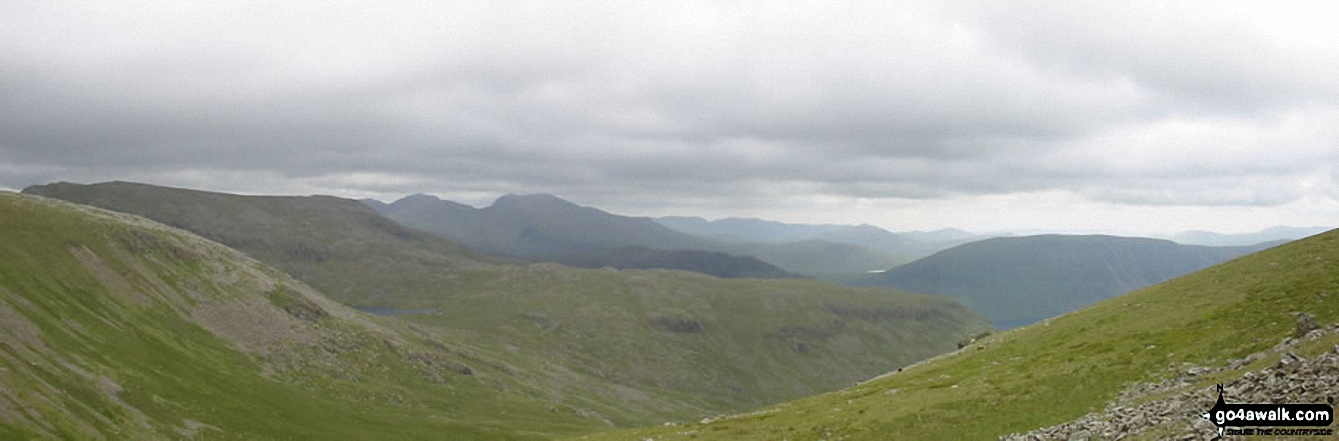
(630, 346)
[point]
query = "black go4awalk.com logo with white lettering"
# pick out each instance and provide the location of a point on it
(1271, 420)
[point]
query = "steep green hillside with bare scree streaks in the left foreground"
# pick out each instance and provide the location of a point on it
(117, 328)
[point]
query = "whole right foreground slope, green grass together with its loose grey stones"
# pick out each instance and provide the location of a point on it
(1139, 367)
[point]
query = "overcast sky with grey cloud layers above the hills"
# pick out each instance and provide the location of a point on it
(1075, 116)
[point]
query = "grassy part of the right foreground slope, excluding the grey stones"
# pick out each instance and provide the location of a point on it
(1061, 369)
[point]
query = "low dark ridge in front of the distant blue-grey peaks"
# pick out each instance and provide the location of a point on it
(706, 262)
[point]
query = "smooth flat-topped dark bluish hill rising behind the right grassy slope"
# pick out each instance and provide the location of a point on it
(1021, 281)
